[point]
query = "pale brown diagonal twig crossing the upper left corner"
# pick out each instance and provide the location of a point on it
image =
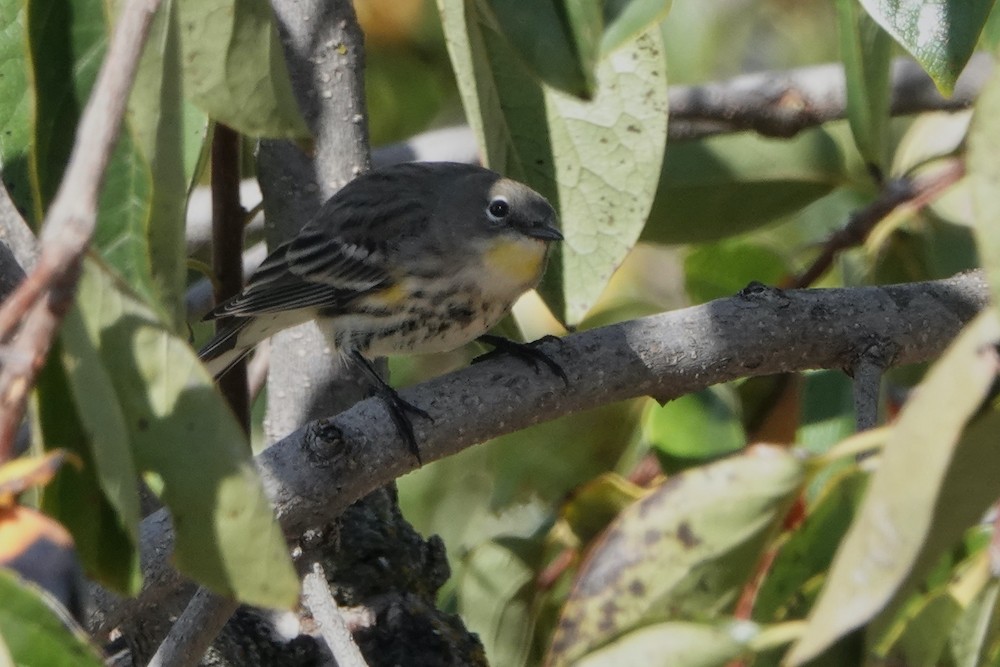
(30, 318)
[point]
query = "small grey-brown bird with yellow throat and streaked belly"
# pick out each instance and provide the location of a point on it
(407, 259)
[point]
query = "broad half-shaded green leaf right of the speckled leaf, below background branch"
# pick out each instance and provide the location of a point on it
(728, 185)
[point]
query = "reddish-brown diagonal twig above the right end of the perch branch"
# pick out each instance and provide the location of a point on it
(913, 192)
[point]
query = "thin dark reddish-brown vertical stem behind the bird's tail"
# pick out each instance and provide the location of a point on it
(228, 217)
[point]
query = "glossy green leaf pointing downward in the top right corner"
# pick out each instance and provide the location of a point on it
(940, 34)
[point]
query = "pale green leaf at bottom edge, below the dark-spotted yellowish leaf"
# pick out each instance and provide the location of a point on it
(672, 644)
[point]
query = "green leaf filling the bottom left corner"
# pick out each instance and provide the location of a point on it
(34, 634)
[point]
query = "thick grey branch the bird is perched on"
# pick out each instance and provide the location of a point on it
(761, 331)
